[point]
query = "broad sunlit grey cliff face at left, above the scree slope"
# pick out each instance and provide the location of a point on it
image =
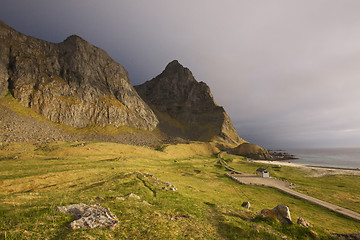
(72, 82)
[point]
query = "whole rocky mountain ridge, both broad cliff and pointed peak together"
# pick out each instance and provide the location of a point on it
(76, 84)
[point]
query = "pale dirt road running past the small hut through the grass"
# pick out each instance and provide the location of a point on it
(285, 187)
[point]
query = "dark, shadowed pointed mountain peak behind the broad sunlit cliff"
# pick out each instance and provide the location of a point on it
(185, 107)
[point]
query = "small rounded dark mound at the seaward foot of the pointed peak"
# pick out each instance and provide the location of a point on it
(251, 151)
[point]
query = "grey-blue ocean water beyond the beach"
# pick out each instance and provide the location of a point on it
(327, 157)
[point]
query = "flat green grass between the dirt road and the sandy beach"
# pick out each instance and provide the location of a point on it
(342, 190)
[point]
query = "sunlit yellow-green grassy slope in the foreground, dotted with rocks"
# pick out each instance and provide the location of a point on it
(34, 179)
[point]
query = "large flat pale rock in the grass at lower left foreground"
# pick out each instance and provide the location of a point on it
(93, 216)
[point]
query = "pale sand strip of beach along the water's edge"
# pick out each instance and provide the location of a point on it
(320, 169)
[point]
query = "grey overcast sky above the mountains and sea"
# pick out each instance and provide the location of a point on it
(287, 72)
